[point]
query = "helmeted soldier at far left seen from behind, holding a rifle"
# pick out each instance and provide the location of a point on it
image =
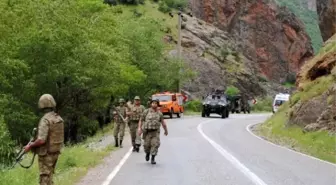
(49, 140)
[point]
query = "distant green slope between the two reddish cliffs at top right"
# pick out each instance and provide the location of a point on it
(308, 17)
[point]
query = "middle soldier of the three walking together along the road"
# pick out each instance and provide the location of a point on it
(135, 113)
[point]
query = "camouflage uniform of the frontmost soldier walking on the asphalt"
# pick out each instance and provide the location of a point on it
(151, 130)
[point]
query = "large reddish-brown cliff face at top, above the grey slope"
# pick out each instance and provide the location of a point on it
(271, 37)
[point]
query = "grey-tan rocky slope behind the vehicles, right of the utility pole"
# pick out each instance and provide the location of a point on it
(215, 56)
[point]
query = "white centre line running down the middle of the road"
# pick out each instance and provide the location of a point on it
(235, 162)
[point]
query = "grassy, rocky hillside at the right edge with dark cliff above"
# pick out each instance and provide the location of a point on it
(308, 121)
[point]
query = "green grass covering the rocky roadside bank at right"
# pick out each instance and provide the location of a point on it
(320, 144)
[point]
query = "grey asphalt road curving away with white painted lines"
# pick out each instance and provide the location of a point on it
(213, 151)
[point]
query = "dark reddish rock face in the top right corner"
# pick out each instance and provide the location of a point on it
(326, 10)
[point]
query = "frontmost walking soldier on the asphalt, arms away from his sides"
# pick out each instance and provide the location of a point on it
(149, 125)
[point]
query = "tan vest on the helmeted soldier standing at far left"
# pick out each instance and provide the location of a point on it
(55, 137)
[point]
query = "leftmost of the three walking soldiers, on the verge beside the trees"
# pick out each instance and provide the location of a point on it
(119, 124)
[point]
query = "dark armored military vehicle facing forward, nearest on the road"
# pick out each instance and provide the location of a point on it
(216, 102)
